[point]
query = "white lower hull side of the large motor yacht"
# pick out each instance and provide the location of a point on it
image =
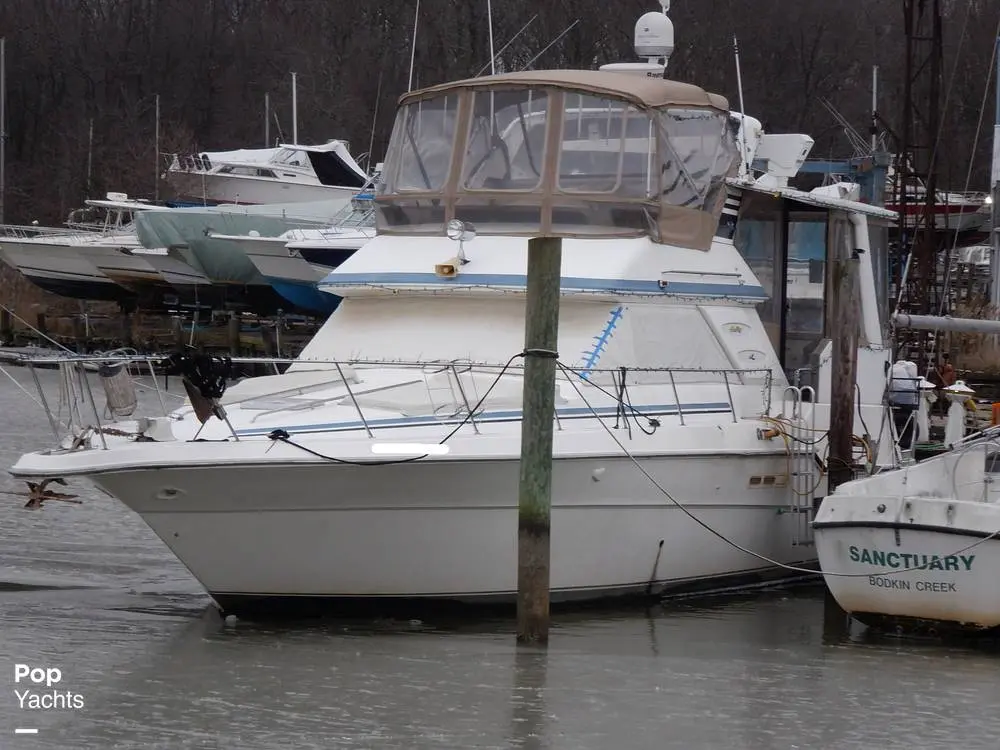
(448, 530)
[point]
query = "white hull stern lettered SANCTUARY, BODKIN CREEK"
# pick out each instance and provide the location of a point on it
(950, 565)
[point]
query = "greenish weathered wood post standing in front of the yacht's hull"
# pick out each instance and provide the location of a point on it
(535, 487)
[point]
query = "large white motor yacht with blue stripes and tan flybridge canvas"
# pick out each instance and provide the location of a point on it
(382, 467)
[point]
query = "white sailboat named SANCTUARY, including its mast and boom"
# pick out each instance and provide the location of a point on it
(915, 550)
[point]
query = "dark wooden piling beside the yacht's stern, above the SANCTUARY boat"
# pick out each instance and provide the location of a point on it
(845, 305)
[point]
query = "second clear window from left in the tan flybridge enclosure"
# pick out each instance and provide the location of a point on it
(506, 144)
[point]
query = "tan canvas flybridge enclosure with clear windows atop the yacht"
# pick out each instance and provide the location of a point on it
(570, 153)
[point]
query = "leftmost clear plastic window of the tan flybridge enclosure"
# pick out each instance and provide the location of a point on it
(426, 133)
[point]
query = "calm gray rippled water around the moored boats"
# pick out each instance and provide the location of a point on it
(90, 591)
